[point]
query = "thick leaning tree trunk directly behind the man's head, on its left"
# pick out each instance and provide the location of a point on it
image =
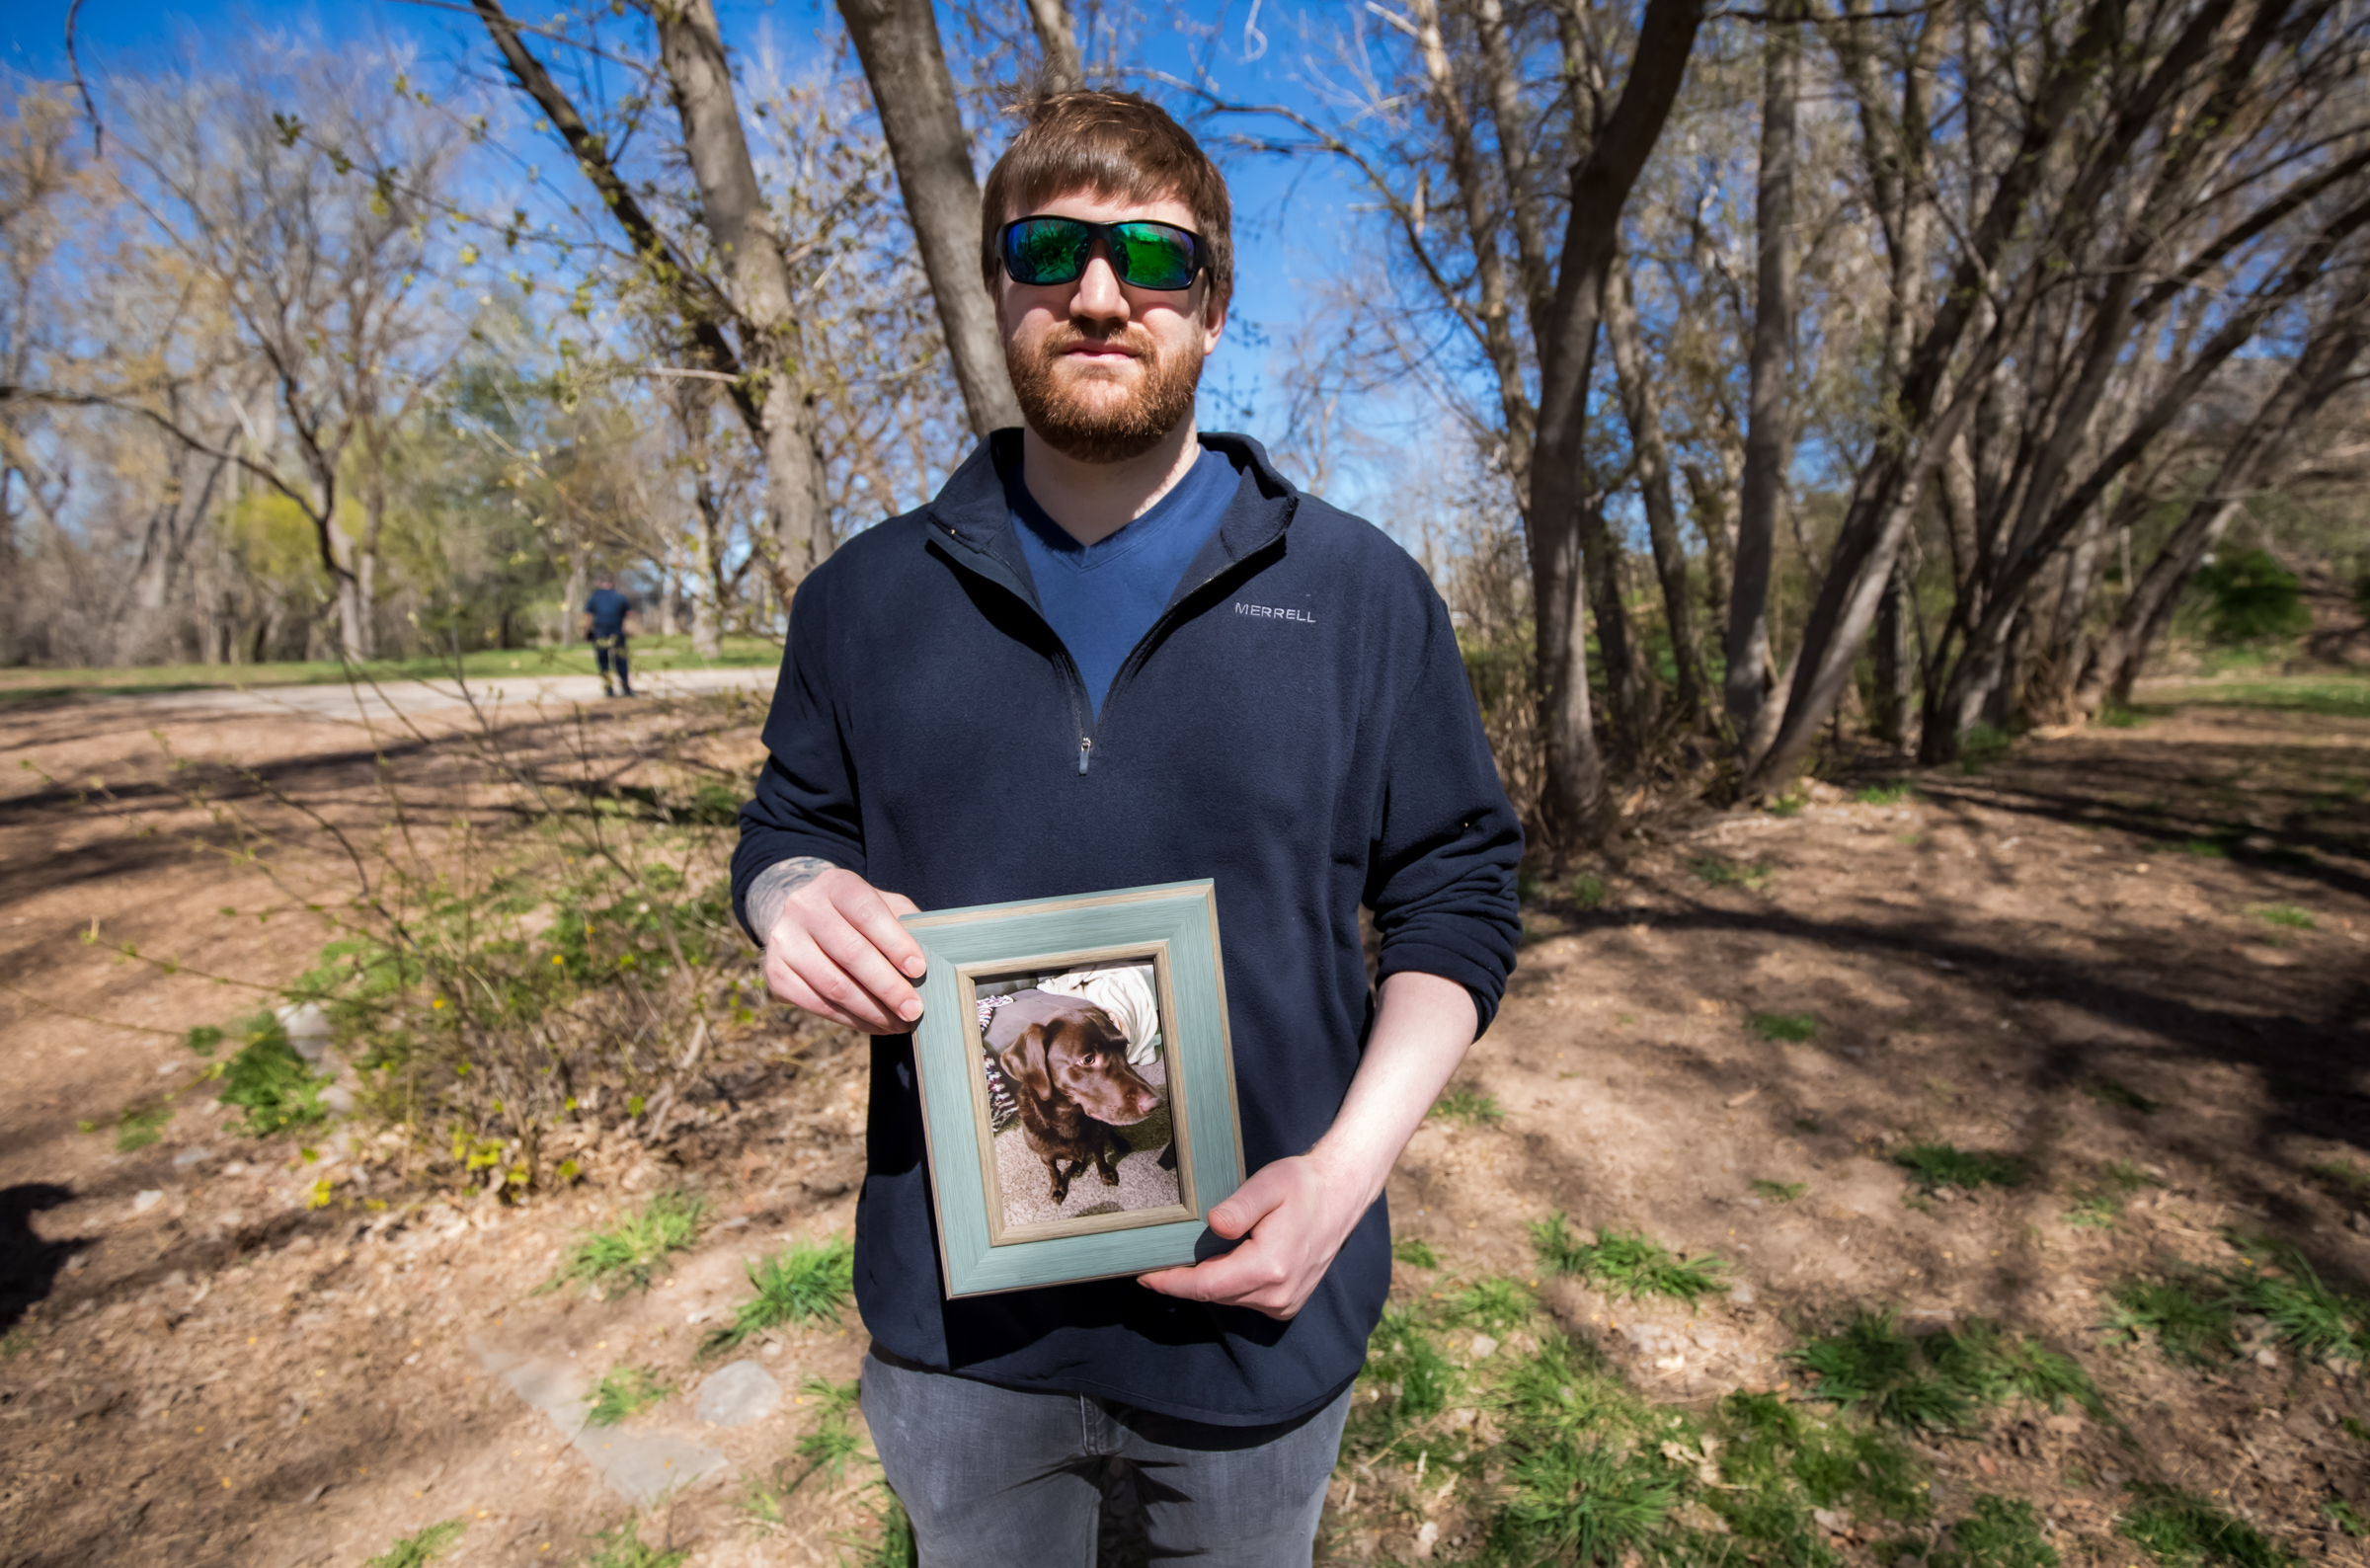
(916, 96)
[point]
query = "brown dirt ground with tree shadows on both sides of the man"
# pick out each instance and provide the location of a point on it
(2016, 958)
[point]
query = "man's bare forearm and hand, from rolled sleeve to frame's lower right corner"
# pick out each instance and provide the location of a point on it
(1302, 1209)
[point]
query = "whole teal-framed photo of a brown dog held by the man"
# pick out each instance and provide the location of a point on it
(1077, 1086)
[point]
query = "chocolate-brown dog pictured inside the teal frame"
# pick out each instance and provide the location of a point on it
(1070, 1072)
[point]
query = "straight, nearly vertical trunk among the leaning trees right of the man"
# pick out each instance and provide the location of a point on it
(1769, 435)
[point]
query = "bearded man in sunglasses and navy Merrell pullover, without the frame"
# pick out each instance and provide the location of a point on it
(1117, 653)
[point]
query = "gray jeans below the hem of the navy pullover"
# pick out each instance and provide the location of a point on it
(1004, 1479)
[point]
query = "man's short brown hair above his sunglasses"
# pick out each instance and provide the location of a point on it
(1120, 148)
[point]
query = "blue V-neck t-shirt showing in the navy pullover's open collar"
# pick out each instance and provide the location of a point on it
(1103, 598)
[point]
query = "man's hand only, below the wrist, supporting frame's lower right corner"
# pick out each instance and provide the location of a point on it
(1298, 1216)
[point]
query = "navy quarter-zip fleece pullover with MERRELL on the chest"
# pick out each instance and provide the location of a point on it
(1295, 726)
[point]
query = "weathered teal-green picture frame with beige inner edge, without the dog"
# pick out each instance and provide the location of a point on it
(980, 1183)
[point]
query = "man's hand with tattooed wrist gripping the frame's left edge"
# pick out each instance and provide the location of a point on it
(835, 946)
